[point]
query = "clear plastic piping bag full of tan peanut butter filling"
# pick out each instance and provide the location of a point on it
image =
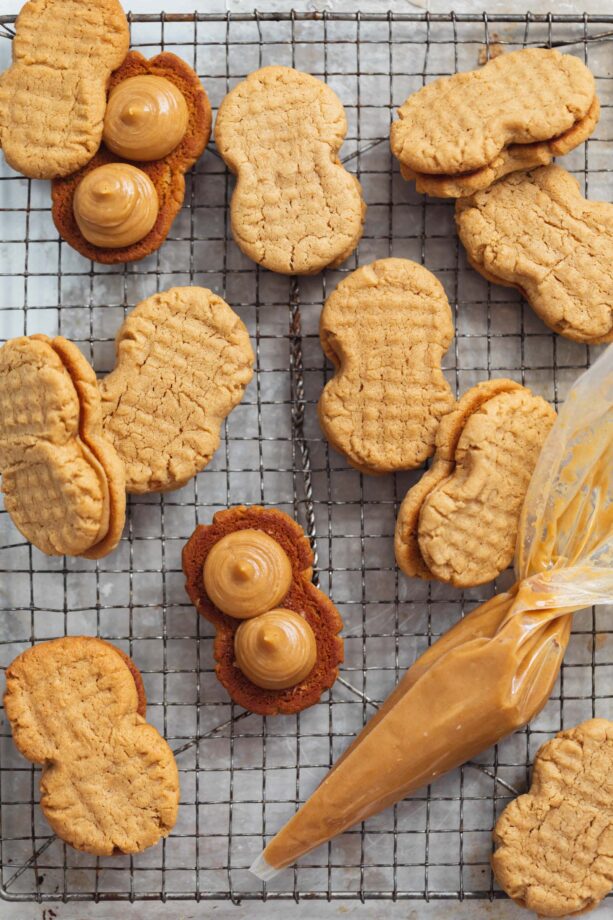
(493, 671)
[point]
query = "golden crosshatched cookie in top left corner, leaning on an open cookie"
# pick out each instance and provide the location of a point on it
(53, 96)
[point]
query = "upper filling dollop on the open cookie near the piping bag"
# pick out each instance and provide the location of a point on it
(247, 573)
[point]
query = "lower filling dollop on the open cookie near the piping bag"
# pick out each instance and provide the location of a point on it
(275, 650)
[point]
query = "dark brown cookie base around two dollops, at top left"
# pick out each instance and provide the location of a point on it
(167, 174)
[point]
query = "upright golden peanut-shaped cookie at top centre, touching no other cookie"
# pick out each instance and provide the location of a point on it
(295, 209)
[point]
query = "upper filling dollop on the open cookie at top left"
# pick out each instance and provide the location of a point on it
(146, 118)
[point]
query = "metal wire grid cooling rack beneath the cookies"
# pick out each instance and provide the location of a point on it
(242, 775)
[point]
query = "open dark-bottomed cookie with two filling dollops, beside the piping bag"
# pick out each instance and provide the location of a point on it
(277, 645)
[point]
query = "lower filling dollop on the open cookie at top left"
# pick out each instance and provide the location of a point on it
(115, 205)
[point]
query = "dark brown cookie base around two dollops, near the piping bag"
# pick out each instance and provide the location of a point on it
(303, 598)
